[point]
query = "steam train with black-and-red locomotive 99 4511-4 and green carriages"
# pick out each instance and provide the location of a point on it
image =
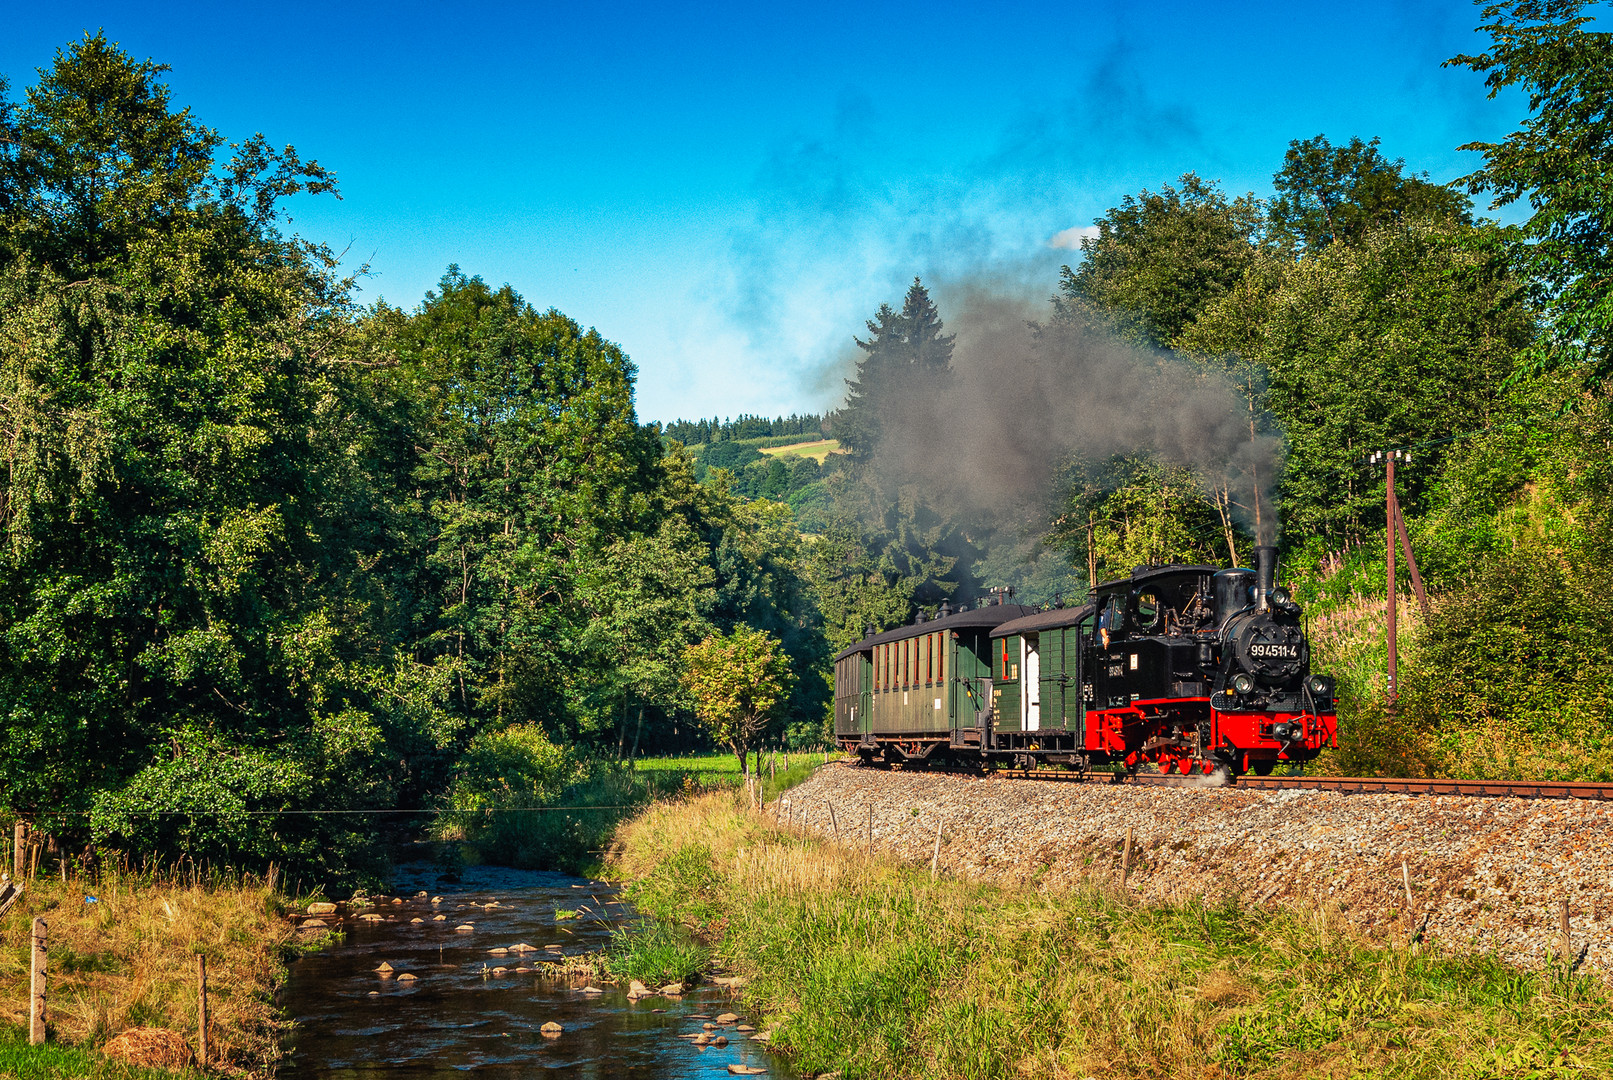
(1185, 670)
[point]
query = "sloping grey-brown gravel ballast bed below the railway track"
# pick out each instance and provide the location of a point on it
(1490, 874)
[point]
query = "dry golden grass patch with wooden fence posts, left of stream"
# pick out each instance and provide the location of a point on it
(128, 960)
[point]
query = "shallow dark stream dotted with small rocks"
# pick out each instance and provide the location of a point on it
(456, 1016)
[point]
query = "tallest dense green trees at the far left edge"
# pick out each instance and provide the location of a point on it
(180, 528)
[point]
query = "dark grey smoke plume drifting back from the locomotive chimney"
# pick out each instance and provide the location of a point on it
(1025, 399)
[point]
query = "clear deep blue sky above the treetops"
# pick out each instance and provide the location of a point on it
(728, 191)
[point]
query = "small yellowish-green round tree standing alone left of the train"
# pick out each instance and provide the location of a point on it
(738, 681)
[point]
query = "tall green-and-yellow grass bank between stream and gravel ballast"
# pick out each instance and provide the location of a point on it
(877, 971)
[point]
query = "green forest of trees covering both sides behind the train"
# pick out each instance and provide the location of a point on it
(272, 550)
